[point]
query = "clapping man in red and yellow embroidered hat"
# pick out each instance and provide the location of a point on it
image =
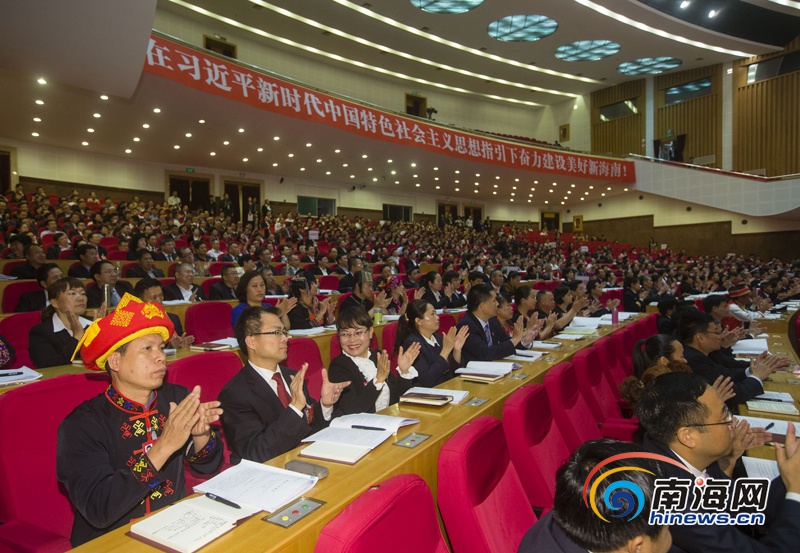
(120, 455)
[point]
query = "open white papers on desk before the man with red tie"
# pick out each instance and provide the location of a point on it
(257, 485)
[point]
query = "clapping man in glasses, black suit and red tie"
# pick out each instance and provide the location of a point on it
(267, 407)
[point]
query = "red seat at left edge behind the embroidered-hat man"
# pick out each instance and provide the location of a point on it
(34, 509)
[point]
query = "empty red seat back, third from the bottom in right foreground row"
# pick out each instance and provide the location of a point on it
(535, 443)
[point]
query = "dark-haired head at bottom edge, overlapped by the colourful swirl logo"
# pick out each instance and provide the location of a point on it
(572, 527)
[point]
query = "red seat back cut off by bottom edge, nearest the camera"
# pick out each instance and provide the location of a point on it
(395, 516)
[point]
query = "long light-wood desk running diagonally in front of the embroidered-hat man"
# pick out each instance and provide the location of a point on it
(345, 483)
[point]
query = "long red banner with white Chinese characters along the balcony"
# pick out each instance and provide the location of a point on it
(198, 70)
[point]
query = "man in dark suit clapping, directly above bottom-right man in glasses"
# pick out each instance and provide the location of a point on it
(700, 335)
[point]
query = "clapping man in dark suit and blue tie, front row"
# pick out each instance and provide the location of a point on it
(487, 341)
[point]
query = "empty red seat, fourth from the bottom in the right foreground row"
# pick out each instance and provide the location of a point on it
(573, 415)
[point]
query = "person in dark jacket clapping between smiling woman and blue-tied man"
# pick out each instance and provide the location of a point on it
(439, 355)
